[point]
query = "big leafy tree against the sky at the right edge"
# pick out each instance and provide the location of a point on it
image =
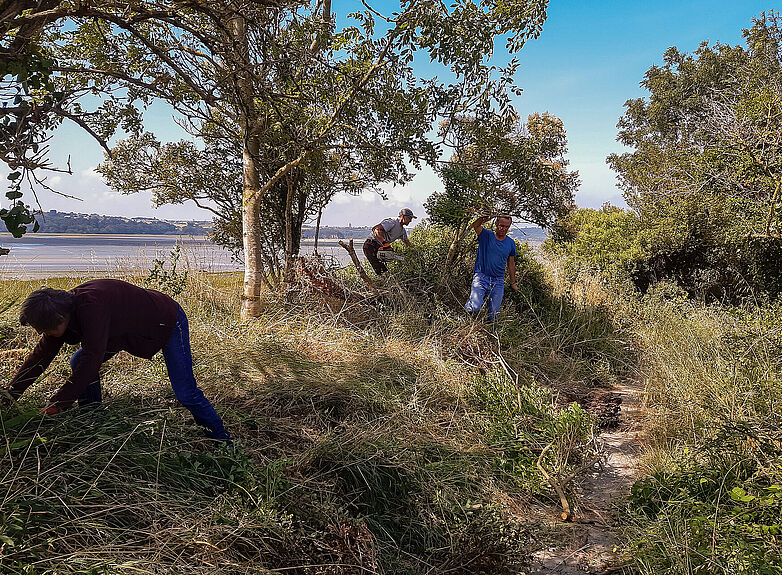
(706, 140)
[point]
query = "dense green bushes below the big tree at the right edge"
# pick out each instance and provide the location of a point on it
(709, 264)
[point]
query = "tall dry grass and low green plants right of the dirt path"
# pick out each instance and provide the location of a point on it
(711, 500)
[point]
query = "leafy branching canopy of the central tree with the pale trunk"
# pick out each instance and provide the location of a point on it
(310, 108)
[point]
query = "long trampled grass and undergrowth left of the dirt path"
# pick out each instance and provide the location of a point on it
(407, 442)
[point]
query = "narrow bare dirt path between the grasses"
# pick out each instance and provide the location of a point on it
(588, 544)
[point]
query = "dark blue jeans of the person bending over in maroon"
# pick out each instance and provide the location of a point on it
(179, 363)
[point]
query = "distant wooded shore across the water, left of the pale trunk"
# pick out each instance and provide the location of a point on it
(54, 222)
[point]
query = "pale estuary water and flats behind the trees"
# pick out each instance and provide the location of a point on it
(47, 255)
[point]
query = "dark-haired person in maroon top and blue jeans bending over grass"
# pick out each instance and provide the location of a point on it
(106, 316)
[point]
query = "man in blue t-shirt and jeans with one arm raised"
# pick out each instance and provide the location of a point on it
(494, 250)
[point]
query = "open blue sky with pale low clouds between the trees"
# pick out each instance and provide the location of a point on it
(589, 60)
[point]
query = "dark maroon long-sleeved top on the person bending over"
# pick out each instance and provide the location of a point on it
(108, 316)
